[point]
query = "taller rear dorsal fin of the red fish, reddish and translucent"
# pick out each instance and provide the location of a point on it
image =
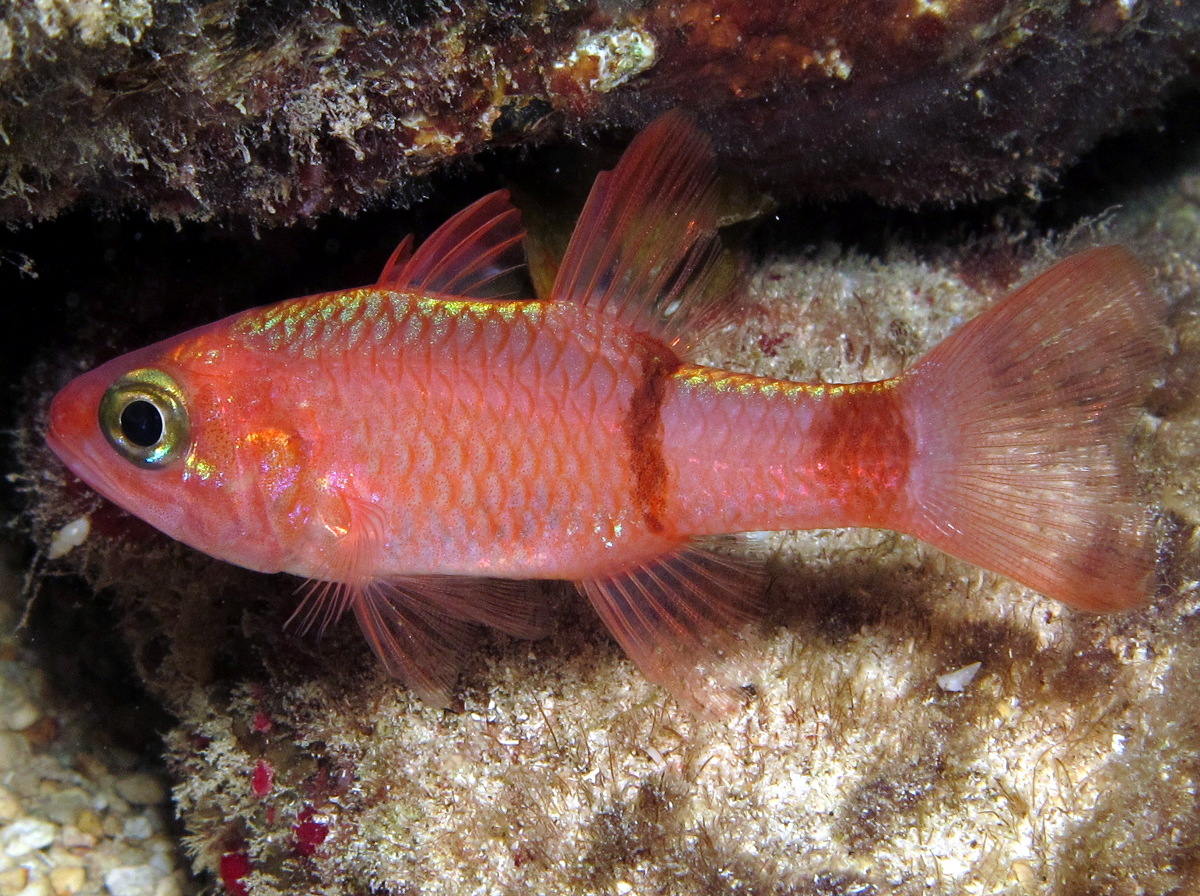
(646, 246)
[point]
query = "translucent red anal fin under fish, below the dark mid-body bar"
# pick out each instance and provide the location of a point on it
(682, 620)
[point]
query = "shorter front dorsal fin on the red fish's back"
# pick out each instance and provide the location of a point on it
(469, 256)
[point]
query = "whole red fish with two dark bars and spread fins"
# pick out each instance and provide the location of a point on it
(411, 446)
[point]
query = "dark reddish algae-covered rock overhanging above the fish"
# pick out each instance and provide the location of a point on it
(281, 111)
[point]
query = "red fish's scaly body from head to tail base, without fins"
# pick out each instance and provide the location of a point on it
(521, 440)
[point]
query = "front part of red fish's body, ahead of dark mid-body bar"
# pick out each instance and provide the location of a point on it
(487, 438)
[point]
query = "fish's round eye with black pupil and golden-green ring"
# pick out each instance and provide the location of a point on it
(145, 418)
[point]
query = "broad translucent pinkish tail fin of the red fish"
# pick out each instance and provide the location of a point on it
(1024, 420)
